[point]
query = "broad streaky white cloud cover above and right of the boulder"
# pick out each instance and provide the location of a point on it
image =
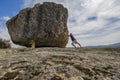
(102, 30)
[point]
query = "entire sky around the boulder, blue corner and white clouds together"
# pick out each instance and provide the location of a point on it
(92, 22)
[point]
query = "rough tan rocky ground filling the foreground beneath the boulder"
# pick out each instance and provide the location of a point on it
(59, 64)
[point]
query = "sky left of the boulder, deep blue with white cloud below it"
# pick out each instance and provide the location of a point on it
(8, 9)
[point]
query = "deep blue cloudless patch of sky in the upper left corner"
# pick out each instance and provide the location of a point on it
(10, 7)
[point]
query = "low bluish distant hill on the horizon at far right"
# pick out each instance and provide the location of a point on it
(116, 45)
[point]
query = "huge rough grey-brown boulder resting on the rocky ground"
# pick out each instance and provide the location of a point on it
(45, 24)
